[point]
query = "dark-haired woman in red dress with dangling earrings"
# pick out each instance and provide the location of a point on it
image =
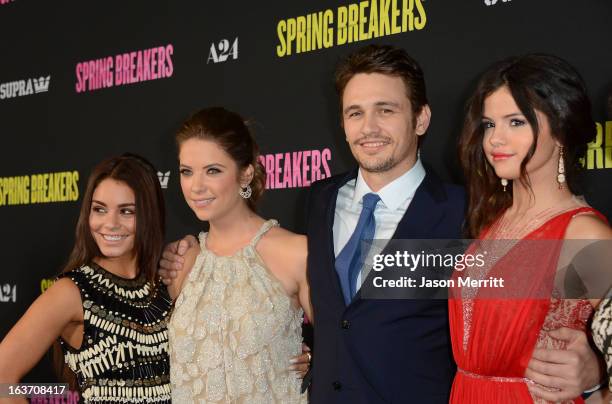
(527, 126)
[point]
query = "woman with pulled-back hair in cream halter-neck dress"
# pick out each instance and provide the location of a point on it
(238, 316)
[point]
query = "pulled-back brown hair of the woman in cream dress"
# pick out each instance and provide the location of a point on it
(229, 131)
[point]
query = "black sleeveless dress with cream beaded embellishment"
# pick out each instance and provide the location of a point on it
(124, 353)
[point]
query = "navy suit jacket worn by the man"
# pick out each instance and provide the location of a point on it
(380, 351)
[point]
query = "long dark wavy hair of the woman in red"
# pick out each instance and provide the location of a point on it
(540, 82)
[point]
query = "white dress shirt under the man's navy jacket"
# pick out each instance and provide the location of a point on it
(395, 198)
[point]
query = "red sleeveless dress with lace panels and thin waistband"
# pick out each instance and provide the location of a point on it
(493, 339)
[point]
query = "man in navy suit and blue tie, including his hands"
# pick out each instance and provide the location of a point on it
(384, 350)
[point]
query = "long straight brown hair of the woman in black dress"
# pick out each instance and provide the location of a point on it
(137, 173)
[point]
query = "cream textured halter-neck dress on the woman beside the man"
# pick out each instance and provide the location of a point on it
(233, 332)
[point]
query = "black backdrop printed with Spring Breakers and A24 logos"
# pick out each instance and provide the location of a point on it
(81, 81)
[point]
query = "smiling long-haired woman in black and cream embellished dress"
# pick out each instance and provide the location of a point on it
(107, 308)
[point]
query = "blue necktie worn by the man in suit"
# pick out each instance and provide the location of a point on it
(350, 259)
